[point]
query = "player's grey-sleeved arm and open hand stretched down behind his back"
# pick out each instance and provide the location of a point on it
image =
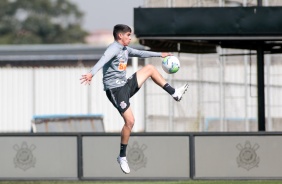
(107, 56)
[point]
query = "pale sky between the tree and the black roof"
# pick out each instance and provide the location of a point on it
(104, 14)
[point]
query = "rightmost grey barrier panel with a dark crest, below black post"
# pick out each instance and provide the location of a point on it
(238, 156)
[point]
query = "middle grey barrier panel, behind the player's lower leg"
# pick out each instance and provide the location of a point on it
(148, 157)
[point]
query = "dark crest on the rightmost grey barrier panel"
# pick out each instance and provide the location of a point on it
(248, 157)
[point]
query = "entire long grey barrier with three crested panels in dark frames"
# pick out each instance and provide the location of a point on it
(151, 156)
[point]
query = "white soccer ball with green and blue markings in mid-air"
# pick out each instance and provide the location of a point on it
(170, 64)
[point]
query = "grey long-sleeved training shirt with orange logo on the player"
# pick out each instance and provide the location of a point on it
(114, 62)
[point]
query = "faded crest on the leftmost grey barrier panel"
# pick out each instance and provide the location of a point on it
(24, 158)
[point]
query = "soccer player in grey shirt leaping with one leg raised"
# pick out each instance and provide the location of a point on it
(119, 89)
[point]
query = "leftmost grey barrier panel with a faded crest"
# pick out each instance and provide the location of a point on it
(38, 157)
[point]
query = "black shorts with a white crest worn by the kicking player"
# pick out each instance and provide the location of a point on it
(120, 96)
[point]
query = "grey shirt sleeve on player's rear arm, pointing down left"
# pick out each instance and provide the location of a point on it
(107, 56)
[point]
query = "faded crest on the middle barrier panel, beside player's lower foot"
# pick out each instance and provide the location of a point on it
(135, 156)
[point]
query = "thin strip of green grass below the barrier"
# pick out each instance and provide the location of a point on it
(145, 182)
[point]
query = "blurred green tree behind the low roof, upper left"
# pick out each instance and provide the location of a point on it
(40, 22)
